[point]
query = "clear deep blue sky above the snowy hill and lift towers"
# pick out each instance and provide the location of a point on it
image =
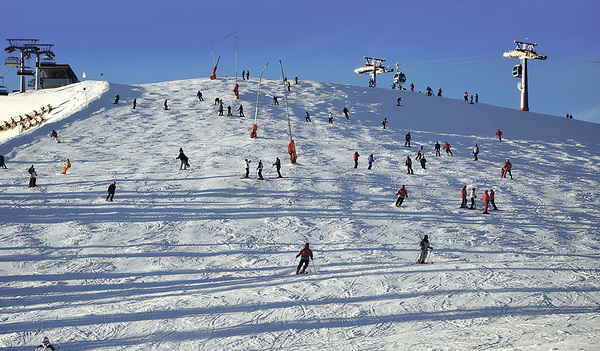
(151, 41)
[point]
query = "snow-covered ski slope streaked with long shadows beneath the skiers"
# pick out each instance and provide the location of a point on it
(203, 260)
